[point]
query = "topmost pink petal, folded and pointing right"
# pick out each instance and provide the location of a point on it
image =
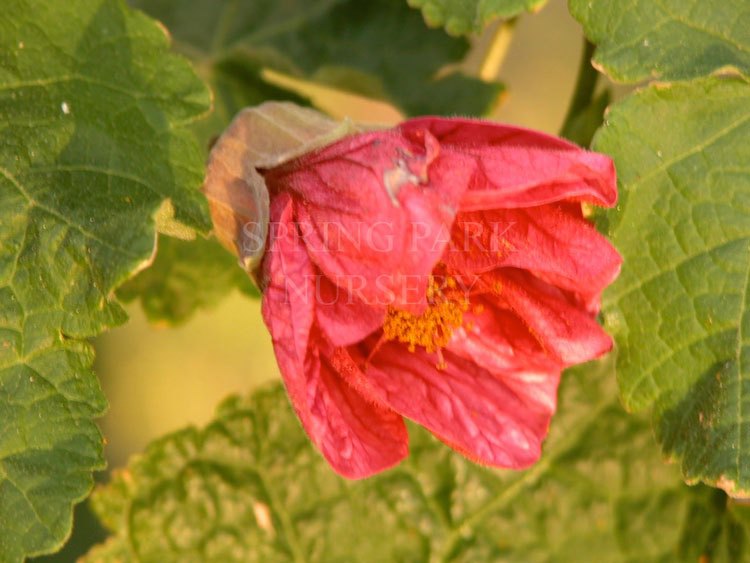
(517, 167)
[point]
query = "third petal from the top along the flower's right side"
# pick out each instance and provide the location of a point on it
(552, 316)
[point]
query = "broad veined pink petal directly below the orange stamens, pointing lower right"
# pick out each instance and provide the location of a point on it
(465, 405)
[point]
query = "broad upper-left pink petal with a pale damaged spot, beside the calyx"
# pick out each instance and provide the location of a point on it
(375, 212)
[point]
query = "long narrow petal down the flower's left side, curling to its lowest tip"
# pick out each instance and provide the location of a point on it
(356, 436)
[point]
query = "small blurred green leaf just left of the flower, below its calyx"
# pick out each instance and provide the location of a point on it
(186, 276)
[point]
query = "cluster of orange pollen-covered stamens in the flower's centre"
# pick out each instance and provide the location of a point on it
(432, 329)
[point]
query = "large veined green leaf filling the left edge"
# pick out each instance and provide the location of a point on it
(92, 110)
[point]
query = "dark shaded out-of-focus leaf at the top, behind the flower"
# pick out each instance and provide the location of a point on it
(378, 48)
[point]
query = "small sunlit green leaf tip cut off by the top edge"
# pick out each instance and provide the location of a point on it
(464, 17)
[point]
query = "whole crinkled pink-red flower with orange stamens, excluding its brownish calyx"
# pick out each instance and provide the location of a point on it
(440, 271)
